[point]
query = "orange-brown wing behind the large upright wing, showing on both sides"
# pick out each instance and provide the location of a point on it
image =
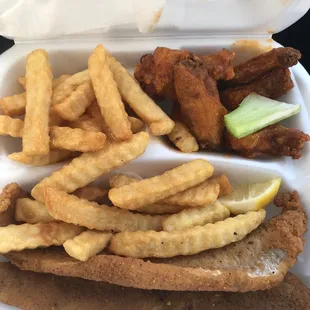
(155, 72)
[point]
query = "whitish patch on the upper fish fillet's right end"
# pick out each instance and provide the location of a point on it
(268, 264)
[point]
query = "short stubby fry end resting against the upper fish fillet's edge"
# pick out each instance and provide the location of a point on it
(87, 244)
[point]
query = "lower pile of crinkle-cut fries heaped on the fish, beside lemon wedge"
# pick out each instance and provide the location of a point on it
(176, 213)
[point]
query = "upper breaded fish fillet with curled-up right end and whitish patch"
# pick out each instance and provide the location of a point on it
(259, 261)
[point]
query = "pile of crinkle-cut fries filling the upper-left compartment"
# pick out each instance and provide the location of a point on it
(82, 112)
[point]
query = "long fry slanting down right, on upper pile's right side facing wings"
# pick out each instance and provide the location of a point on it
(158, 121)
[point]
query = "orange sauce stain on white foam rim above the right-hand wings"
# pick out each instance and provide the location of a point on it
(246, 49)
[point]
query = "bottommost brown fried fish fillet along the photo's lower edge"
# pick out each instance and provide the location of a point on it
(35, 291)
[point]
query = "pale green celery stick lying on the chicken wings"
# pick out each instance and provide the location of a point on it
(257, 112)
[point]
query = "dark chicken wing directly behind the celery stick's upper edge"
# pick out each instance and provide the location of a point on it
(273, 84)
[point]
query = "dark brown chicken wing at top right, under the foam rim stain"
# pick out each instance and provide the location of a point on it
(282, 57)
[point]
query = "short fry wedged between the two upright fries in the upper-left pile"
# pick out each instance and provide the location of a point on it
(72, 107)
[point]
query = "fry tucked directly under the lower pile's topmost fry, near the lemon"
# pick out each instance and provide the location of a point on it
(199, 195)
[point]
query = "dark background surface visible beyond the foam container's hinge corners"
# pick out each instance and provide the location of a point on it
(297, 36)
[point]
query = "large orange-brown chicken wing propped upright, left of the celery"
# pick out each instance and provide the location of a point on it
(200, 104)
